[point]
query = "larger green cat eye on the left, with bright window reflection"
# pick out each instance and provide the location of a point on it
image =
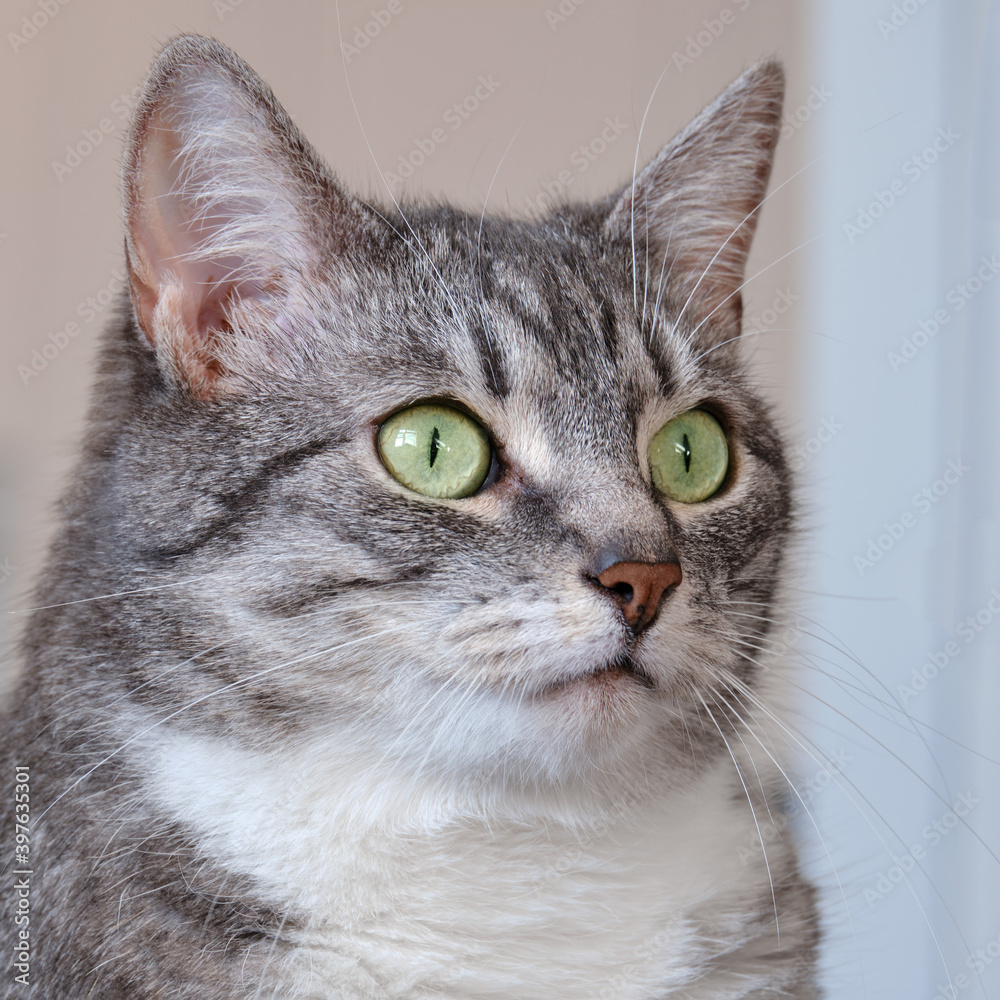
(435, 450)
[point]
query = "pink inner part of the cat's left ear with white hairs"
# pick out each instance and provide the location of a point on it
(211, 211)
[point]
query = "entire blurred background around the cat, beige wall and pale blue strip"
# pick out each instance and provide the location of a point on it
(871, 318)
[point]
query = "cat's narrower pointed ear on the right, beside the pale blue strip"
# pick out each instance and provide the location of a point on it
(690, 215)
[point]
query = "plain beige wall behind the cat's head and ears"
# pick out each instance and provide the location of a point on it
(557, 72)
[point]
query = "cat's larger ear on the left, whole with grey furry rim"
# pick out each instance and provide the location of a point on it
(231, 219)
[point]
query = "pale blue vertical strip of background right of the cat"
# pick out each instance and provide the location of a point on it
(902, 347)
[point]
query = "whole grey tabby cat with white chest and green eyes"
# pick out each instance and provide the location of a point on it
(403, 636)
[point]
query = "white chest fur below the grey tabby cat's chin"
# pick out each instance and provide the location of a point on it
(399, 894)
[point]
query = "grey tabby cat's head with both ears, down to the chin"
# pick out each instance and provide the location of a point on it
(565, 619)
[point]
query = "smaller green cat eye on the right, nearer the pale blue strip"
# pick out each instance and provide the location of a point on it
(688, 457)
